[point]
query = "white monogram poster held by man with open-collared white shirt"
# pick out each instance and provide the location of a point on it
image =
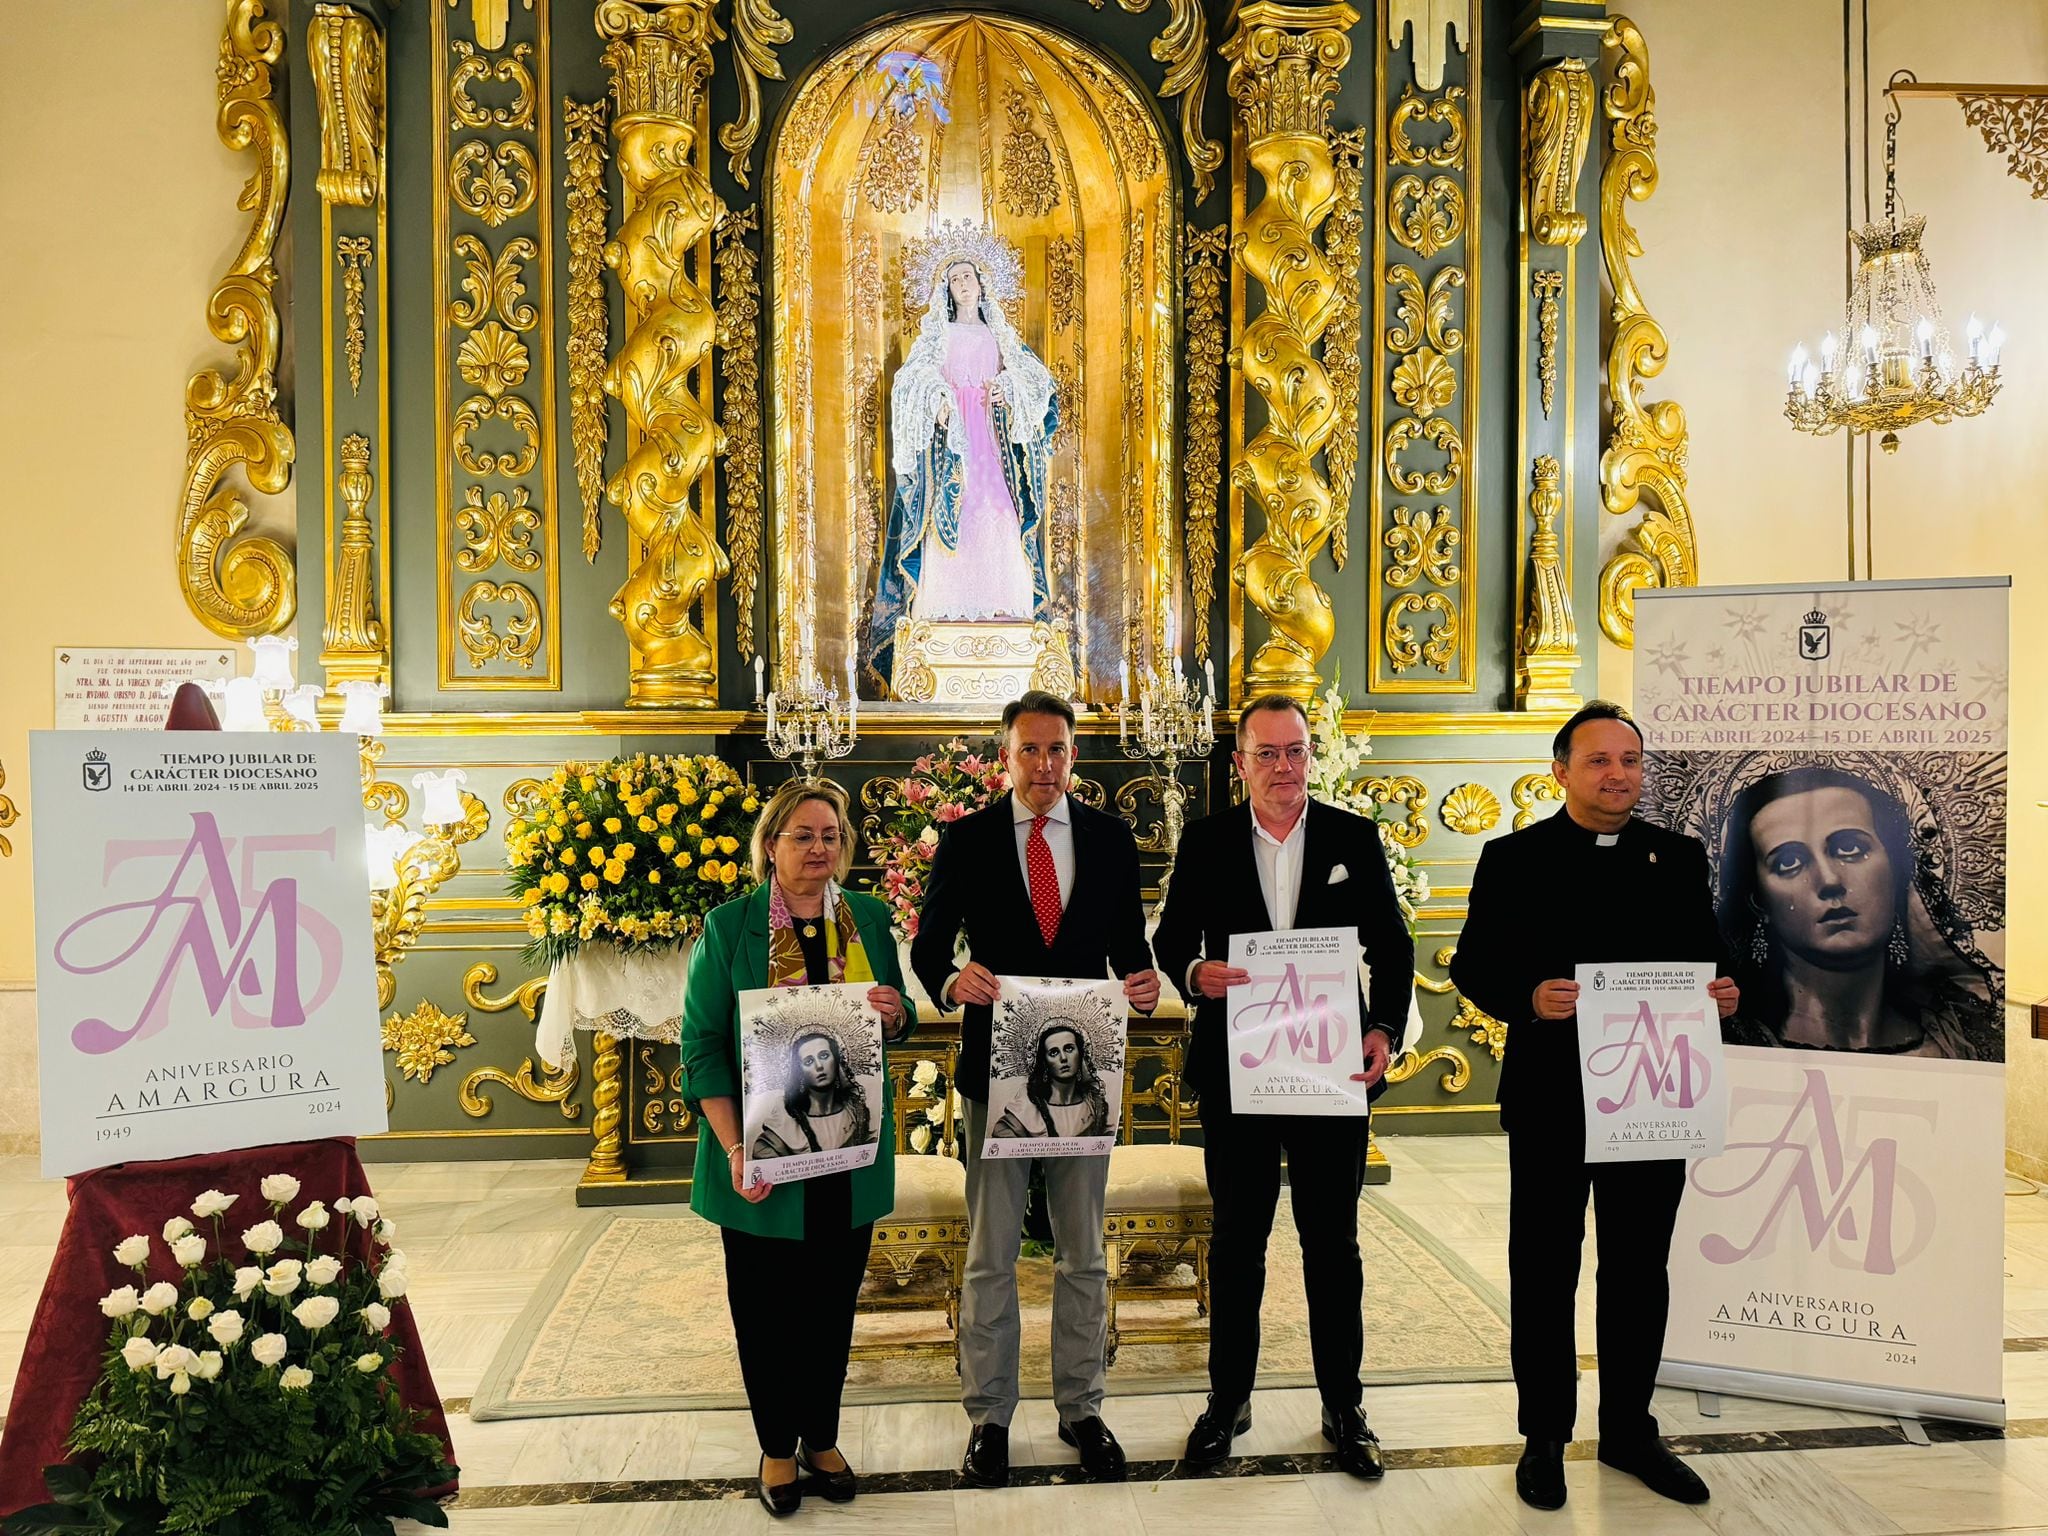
(1295, 1031)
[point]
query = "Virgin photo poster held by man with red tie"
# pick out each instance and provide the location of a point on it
(1056, 1068)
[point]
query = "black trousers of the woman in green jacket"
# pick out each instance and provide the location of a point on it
(794, 1322)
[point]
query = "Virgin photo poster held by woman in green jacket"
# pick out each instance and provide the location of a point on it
(812, 1080)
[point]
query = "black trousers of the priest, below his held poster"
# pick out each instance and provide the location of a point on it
(1635, 1209)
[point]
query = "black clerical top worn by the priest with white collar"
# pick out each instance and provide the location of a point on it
(1553, 898)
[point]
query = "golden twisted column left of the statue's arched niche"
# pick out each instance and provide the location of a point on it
(660, 58)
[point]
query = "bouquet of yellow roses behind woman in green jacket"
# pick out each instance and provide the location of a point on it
(630, 853)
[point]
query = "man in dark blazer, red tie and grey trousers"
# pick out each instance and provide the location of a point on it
(1041, 886)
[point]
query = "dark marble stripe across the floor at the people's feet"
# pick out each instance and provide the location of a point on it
(529, 1496)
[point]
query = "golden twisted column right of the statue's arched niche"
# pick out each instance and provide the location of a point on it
(1285, 67)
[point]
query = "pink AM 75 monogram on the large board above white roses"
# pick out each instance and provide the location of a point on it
(259, 982)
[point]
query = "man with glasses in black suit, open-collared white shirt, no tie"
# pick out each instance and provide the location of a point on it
(1283, 861)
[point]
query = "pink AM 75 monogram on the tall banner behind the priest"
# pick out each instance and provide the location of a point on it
(1848, 1193)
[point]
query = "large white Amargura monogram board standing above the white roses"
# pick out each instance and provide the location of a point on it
(204, 945)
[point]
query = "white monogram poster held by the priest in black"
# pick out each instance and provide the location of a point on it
(1650, 1062)
